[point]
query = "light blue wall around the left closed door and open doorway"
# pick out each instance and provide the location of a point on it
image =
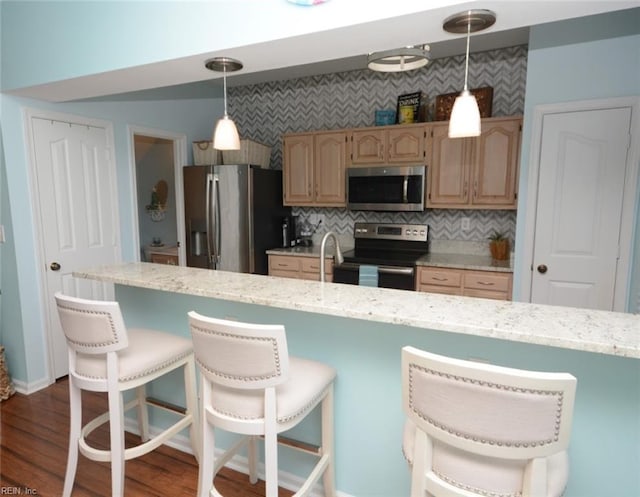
(23, 321)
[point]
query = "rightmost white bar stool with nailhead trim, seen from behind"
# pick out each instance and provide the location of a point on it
(475, 429)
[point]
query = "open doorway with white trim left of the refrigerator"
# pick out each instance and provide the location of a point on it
(157, 159)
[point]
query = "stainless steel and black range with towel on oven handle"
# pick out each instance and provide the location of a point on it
(393, 248)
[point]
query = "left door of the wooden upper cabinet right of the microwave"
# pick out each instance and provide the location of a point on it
(449, 169)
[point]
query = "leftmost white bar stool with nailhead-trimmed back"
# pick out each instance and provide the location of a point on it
(106, 357)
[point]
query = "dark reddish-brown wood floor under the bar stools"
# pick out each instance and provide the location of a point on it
(34, 434)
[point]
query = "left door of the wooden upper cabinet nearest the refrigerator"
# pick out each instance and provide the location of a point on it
(298, 170)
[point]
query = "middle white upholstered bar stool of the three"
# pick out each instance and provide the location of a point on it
(250, 386)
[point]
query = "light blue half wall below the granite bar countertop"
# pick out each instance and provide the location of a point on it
(368, 404)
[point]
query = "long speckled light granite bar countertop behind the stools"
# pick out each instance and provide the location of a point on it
(603, 332)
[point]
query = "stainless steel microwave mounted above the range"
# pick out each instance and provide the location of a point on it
(386, 188)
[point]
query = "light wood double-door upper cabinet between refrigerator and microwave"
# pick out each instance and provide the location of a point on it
(314, 168)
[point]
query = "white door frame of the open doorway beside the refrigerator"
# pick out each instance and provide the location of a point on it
(179, 159)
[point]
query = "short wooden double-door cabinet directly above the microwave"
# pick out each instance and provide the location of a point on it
(388, 145)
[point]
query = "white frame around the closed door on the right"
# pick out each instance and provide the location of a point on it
(625, 241)
